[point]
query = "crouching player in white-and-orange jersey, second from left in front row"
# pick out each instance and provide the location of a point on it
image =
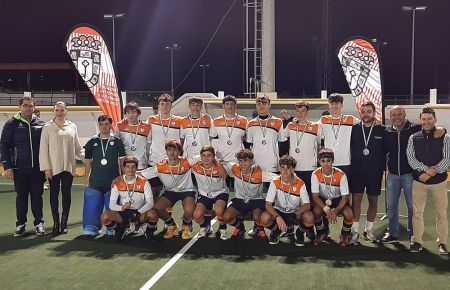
(175, 174)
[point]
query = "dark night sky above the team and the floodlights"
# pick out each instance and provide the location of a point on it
(34, 31)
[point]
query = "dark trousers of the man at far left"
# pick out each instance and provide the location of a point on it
(29, 182)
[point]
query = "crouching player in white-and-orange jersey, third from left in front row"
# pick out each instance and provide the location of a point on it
(212, 190)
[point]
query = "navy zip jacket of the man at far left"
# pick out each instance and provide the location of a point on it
(19, 143)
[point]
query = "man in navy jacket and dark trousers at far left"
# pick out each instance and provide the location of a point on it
(19, 143)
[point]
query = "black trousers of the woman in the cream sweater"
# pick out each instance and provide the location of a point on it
(61, 182)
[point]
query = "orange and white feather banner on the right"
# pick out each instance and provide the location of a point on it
(361, 67)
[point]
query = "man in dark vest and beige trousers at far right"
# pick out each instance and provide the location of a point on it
(429, 157)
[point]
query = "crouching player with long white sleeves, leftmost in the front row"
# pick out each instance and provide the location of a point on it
(131, 201)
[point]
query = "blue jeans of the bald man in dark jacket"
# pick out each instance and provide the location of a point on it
(395, 184)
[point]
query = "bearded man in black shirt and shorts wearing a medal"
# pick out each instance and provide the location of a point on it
(368, 164)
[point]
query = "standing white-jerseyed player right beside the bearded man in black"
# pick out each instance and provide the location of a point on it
(336, 132)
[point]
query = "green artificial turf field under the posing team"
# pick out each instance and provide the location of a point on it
(75, 262)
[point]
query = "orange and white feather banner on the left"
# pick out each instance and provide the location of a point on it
(90, 55)
